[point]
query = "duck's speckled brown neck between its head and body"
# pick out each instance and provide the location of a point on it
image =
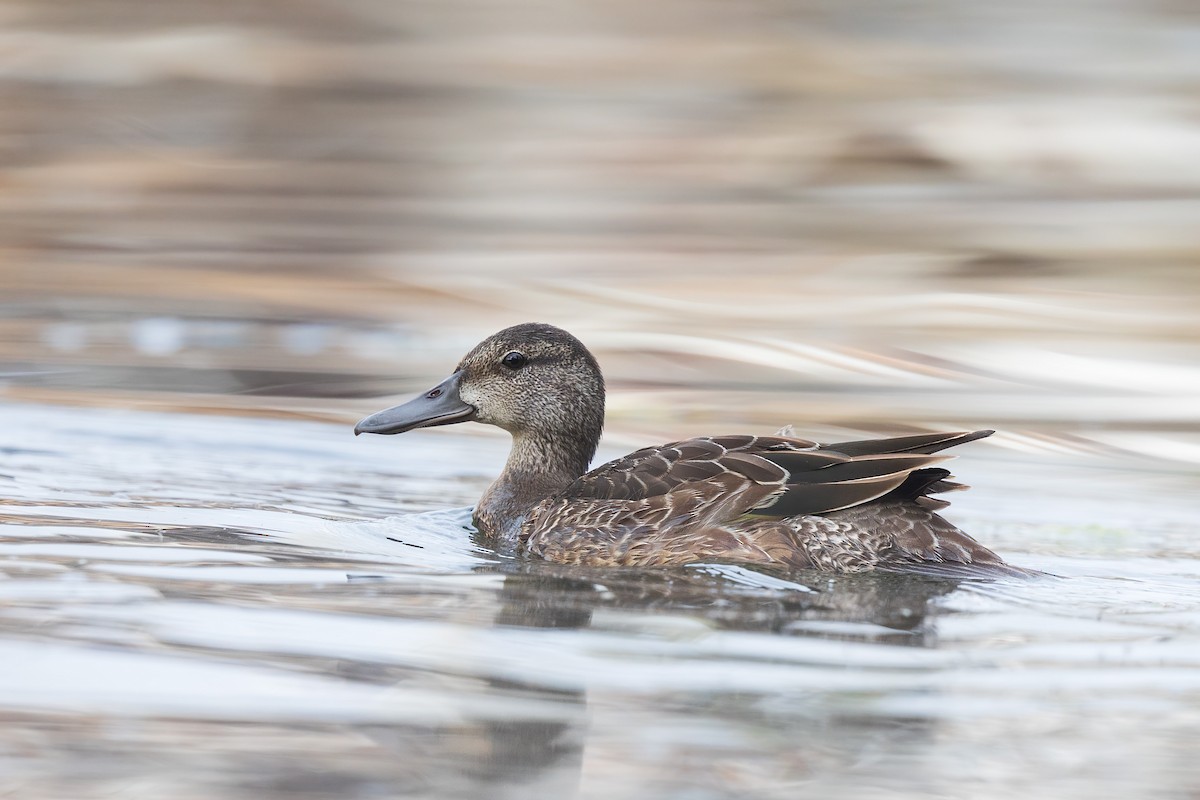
(539, 466)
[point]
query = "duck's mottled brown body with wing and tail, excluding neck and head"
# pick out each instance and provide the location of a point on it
(767, 501)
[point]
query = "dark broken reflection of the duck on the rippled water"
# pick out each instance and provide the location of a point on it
(548, 757)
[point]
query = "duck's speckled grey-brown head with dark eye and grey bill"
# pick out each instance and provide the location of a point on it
(533, 381)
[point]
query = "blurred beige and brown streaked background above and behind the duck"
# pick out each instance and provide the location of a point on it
(823, 213)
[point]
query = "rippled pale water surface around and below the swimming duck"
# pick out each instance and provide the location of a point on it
(205, 606)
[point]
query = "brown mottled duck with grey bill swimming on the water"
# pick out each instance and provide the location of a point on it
(778, 503)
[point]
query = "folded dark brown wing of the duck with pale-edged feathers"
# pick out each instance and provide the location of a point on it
(728, 477)
